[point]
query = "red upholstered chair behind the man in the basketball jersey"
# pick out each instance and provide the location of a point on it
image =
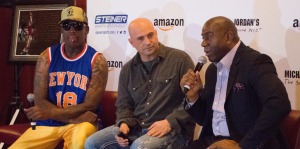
(10, 133)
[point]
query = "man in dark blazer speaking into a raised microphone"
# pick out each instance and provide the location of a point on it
(243, 101)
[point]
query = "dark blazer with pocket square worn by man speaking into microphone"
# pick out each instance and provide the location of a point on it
(256, 101)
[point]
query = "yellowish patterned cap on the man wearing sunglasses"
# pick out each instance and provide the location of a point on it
(73, 13)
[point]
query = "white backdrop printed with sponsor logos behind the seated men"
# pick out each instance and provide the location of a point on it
(271, 27)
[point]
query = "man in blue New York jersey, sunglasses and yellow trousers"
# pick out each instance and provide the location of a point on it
(69, 81)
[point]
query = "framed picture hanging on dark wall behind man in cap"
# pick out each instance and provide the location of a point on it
(35, 28)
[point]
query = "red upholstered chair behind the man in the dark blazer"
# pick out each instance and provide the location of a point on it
(291, 128)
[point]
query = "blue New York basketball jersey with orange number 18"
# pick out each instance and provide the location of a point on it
(68, 78)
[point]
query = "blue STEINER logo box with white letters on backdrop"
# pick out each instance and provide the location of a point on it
(111, 19)
